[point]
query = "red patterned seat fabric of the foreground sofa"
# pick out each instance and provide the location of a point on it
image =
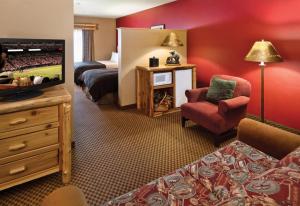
(234, 175)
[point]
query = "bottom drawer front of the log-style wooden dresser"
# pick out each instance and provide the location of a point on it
(21, 168)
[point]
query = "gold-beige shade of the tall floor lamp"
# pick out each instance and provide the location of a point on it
(263, 51)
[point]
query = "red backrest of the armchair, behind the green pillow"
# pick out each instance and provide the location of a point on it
(243, 87)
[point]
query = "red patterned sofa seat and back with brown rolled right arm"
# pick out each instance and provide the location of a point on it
(242, 173)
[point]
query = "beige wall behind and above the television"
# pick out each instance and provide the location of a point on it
(41, 20)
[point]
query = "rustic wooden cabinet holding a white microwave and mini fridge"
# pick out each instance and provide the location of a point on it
(172, 80)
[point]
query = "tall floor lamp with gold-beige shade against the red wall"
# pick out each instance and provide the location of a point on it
(263, 52)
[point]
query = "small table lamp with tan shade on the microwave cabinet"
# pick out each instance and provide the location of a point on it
(172, 40)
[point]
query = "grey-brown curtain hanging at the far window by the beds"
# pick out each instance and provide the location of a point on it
(88, 45)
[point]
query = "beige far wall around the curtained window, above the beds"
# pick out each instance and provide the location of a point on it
(105, 36)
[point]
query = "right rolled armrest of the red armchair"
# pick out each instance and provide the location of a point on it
(231, 104)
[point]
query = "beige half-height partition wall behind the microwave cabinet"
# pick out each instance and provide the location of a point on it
(135, 48)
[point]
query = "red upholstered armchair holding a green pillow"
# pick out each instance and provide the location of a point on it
(217, 118)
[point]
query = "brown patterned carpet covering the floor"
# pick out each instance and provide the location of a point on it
(117, 151)
